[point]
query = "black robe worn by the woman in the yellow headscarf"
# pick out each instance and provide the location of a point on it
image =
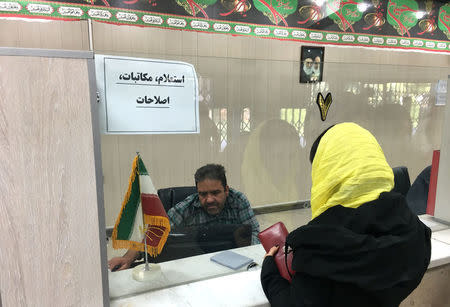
(374, 255)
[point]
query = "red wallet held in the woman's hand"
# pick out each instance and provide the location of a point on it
(276, 234)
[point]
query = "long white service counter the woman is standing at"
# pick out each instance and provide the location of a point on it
(193, 288)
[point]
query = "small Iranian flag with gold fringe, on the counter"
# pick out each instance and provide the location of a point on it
(141, 197)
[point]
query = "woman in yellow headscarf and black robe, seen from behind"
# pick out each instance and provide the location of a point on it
(363, 246)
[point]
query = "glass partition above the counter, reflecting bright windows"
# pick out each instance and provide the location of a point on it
(259, 122)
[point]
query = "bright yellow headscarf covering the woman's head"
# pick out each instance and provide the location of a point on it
(349, 169)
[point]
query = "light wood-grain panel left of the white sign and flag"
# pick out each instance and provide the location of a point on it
(48, 215)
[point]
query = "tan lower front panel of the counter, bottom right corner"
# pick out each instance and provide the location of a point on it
(432, 290)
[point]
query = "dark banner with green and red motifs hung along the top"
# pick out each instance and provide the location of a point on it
(403, 24)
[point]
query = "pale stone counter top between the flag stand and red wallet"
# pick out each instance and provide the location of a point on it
(178, 272)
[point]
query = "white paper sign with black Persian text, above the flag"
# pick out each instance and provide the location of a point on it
(146, 96)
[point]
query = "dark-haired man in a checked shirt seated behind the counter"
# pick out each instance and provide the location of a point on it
(213, 204)
